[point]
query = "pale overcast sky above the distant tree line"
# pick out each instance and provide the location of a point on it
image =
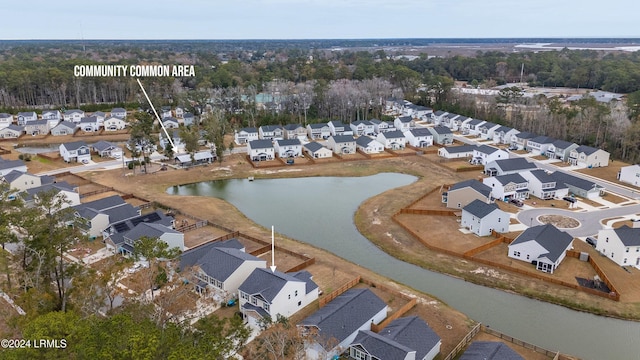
(316, 19)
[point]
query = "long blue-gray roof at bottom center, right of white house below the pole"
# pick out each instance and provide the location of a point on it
(345, 314)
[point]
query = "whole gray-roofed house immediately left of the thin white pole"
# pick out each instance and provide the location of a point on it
(220, 267)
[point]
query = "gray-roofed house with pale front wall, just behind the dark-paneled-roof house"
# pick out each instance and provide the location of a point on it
(98, 215)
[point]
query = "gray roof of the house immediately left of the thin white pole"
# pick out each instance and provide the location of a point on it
(217, 260)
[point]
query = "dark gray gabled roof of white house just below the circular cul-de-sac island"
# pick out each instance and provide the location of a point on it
(549, 237)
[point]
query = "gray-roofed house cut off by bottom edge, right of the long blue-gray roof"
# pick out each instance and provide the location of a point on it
(404, 338)
